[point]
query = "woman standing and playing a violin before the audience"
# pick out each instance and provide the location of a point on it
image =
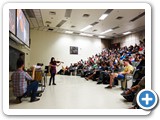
(53, 65)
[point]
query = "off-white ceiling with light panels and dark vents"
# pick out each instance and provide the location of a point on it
(61, 20)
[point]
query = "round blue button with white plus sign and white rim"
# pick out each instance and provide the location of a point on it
(147, 99)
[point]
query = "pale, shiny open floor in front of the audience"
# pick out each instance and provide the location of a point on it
(74, 92)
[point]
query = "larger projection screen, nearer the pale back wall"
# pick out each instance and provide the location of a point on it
(22, 27)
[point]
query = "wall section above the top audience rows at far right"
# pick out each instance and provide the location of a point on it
(130, 39)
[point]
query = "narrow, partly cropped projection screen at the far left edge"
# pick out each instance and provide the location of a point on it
(12, 21)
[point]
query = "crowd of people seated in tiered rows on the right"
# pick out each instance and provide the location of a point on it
(113, 64)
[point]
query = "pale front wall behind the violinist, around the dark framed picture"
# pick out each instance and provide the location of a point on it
(44, 45)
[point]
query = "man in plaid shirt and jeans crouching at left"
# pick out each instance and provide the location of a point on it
(20, 88)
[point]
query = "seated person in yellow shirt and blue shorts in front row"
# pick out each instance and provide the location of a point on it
(121, 75)
